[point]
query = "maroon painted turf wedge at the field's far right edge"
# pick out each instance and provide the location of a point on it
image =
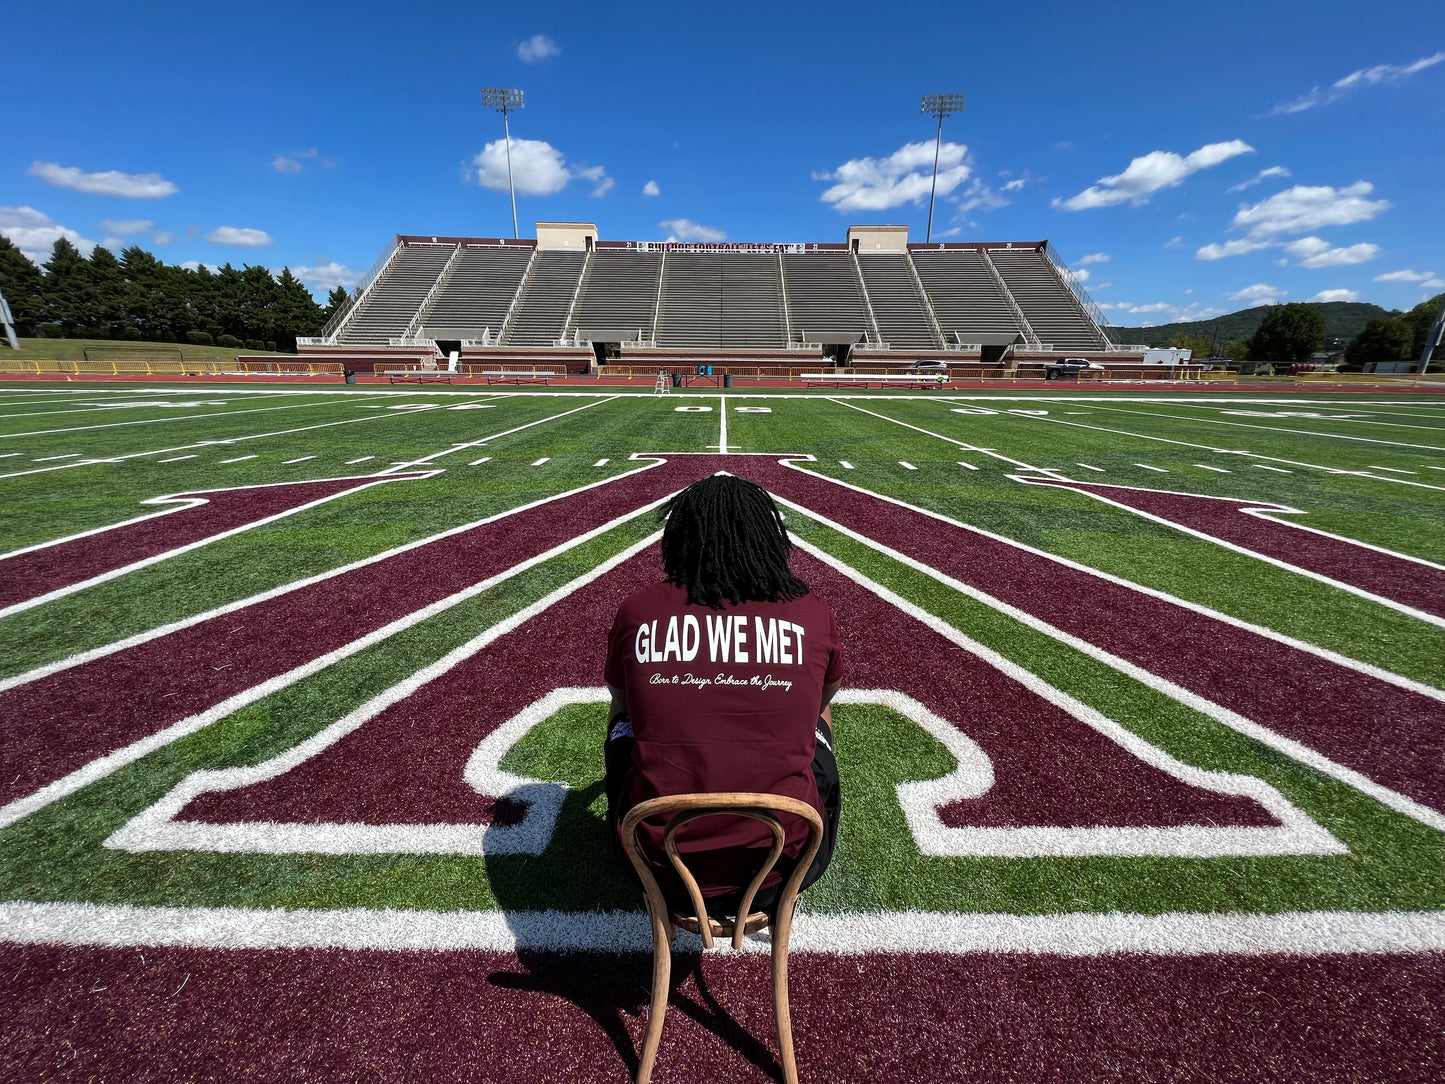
(1339, 559)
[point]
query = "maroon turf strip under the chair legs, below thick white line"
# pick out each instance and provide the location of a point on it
(339, 1017)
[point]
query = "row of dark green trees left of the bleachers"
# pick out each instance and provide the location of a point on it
(138, 298)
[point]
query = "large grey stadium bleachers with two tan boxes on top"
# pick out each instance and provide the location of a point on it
(889, 300)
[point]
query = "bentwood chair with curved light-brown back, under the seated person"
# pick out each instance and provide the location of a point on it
(665, 923)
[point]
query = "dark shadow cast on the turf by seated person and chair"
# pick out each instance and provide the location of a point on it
(579, 872)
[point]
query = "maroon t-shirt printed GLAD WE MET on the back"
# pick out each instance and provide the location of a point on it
(723, 700)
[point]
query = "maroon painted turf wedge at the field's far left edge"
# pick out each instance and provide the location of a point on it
(64, 564)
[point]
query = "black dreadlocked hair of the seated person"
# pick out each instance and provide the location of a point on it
(725, 540)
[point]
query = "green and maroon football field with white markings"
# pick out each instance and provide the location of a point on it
(1142, 735)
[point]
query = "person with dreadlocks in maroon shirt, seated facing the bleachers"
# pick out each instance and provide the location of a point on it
(720, 680)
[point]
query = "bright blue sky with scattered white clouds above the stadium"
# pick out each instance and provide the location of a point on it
(1191, 160)
